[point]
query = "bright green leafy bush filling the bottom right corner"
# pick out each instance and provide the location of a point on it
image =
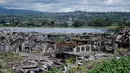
(121, 65)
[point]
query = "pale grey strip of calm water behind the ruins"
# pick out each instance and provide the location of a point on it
(57, 30)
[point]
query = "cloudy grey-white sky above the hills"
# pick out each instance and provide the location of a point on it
(68, 5)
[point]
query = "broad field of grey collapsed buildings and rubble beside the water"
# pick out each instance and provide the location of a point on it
(52, 49)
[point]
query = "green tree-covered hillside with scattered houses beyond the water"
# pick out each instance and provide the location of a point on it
(70, 19)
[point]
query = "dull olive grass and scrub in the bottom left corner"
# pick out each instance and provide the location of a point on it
(5, 58)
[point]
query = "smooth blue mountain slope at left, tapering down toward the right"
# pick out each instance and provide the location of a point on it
(15, 11)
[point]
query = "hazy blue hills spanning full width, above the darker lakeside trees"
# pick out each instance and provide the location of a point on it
(66, 16)
